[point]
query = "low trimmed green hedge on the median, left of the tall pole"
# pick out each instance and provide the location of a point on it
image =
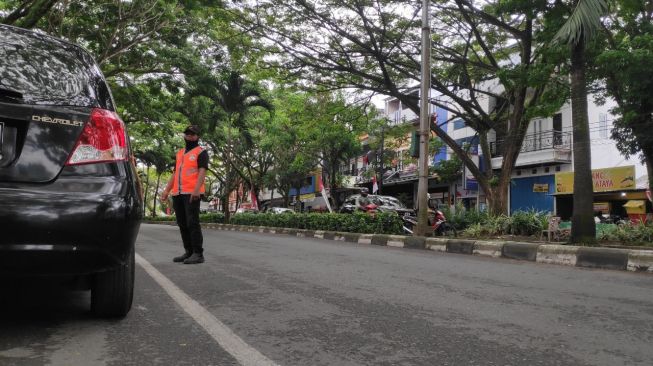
(382, 223)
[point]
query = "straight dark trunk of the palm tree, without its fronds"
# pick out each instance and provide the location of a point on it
(583, 228)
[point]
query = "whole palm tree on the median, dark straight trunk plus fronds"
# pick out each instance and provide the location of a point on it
(578, 30)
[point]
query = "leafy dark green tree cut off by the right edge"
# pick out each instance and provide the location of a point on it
(623, 69)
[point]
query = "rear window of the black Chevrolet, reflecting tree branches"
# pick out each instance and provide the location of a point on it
(48, 71)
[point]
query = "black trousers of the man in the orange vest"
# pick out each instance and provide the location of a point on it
(188, 220)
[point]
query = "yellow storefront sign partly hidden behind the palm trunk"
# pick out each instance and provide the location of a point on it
(605, 180)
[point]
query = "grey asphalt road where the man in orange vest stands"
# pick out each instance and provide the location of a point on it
(300, 301)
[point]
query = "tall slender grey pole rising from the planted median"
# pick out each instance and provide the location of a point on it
(424, 117)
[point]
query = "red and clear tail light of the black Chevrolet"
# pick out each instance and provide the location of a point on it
(102, 140)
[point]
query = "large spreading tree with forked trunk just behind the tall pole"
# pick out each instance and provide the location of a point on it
(480, 52)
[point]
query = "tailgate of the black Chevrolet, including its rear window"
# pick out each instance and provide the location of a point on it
(47, 91)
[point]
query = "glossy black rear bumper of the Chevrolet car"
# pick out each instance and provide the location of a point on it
(77, 225)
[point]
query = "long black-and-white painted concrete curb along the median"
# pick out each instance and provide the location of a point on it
(589, 257)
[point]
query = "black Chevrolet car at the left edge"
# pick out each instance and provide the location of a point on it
(70, 205)
